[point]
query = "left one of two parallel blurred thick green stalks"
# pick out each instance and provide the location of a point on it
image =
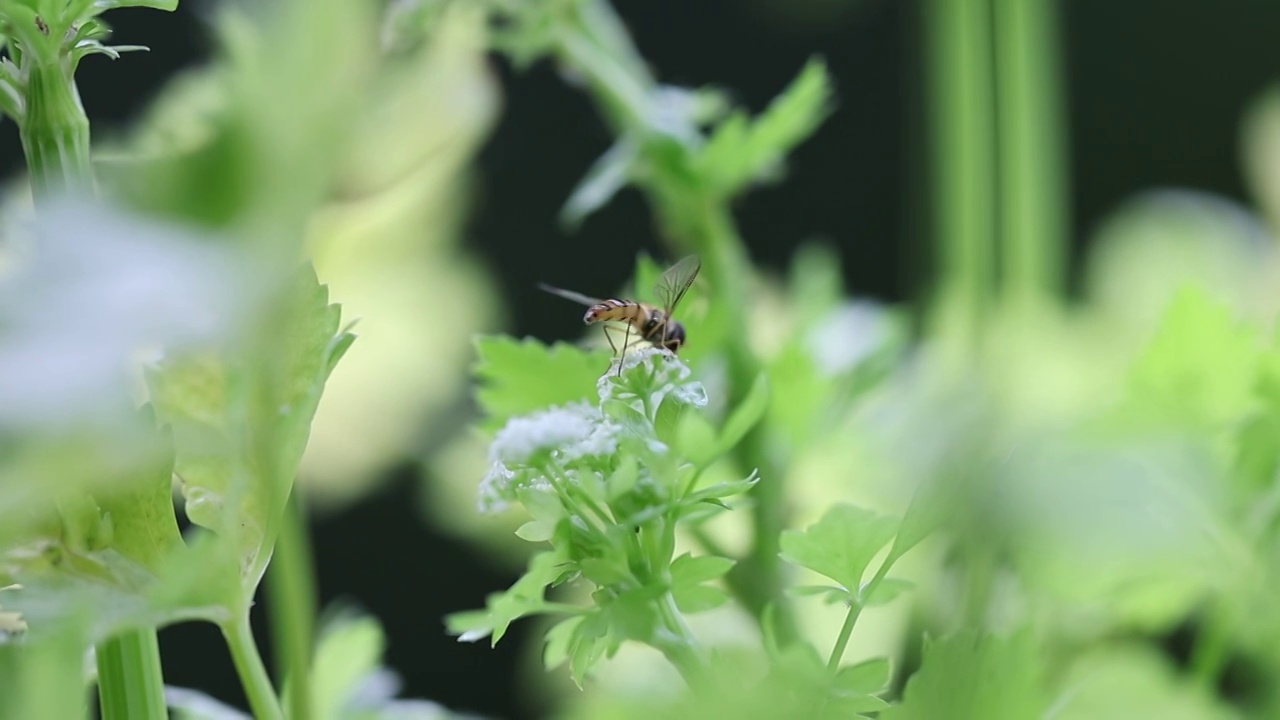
(958, 40)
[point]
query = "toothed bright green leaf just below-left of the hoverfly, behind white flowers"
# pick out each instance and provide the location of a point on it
(520, 377)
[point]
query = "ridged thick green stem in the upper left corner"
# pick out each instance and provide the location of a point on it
(56, 133)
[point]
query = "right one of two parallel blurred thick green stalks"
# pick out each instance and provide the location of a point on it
(1032, 154)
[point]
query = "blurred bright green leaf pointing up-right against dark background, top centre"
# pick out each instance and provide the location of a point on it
(740, 153)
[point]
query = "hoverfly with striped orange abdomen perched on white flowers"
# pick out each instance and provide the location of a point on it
(652, 323)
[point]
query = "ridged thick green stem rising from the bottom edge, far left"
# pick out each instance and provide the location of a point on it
(130, 681)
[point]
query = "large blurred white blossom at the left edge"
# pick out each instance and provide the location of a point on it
(86, 290)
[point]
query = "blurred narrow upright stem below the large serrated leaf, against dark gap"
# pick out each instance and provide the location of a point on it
(291, 593)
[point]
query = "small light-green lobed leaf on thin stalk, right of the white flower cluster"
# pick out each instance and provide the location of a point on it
(842, 544)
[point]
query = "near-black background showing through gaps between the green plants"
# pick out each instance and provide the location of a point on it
(1156, 92)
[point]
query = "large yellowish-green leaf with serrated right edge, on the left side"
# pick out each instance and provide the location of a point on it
(241, 426)
